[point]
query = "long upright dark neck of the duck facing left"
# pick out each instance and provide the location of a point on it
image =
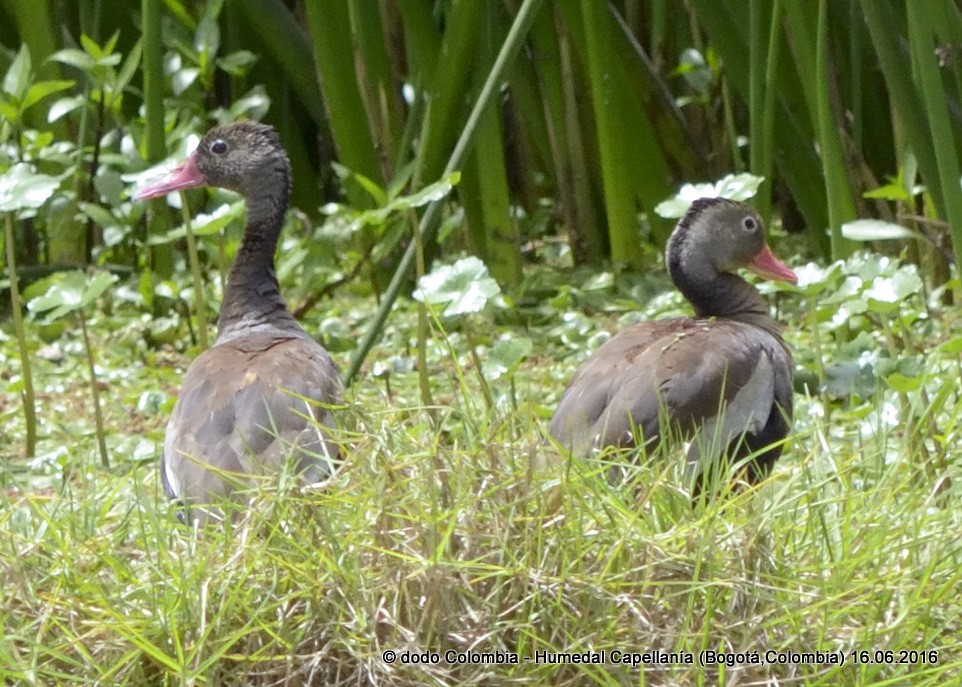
(253, 296)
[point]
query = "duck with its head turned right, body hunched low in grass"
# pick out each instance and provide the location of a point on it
(721, 380)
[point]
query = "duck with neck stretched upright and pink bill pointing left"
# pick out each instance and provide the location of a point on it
(261, 399)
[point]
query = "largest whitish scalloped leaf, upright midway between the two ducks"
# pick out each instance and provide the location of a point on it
(465, 287)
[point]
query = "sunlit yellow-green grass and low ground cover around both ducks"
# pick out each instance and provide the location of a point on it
(456, 528)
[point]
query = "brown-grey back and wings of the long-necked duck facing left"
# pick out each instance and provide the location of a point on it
(241, 413)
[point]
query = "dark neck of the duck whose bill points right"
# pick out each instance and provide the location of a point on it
(718, 294)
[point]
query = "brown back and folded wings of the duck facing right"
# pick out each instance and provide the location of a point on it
(721, 375)
